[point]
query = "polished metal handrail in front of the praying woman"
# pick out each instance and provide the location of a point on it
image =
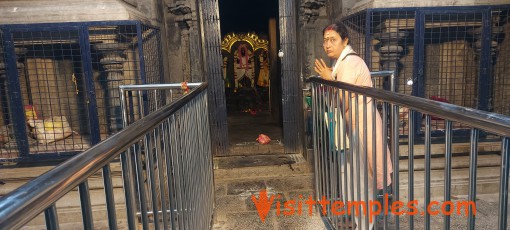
(492, 122)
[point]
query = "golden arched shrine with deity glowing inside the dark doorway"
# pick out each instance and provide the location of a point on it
(246, 73)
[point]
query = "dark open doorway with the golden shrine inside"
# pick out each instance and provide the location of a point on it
(253, 102)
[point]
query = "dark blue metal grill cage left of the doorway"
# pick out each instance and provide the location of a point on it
(60, 83)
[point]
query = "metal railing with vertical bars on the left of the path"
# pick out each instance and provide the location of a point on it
(167, 173)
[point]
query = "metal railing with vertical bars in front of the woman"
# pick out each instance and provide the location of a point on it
(344, 172)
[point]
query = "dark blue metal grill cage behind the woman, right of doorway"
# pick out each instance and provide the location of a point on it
(457, 55)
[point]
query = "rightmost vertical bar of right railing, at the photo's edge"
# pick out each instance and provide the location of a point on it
(503, 183)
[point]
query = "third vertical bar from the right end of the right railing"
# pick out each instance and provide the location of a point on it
(448, 172)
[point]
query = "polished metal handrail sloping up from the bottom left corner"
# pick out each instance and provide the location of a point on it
(26, 202)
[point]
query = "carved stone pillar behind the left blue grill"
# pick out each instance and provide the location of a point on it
(113, 60)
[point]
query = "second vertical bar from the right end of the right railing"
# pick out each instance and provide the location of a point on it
(473, 158)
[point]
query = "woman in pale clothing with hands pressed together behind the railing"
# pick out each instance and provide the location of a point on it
(350, 68)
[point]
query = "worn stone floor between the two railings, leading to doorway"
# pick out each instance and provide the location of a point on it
(286, 177)
